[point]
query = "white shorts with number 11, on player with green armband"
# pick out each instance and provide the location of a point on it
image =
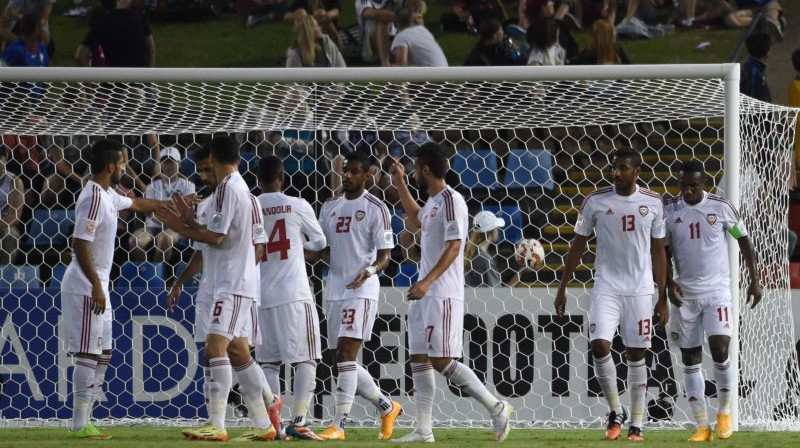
(698, 317)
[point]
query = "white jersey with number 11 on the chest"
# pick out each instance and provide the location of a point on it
(696, 234)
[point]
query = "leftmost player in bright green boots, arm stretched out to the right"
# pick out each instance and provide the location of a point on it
(85, 304)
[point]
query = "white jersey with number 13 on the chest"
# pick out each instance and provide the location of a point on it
(624, 226)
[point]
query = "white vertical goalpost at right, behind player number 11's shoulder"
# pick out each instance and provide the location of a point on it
(732, 160)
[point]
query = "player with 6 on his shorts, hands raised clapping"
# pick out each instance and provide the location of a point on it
(229, 234)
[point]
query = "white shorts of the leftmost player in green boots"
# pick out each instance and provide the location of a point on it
(87, 332)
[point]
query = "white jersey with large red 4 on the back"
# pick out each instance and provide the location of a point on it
(283, 272)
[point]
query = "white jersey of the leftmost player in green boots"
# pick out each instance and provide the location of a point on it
(96, 214)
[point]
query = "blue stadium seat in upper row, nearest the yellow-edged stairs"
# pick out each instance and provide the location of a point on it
(529, 168)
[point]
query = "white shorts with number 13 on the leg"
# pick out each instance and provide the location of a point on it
(633, 315)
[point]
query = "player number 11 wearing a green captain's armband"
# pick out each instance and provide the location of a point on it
(700, 290)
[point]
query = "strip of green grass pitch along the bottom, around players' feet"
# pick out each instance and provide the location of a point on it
(146, 437)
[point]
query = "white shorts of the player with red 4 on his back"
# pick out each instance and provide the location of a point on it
(290, 333)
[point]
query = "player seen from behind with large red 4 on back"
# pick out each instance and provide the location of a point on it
(288, 315)
